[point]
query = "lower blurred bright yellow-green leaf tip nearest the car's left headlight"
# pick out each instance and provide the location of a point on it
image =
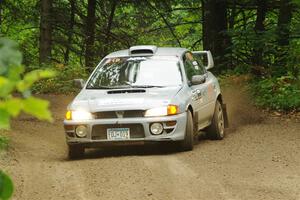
(37, 107)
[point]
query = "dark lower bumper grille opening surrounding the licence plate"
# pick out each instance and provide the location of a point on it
(99, 132)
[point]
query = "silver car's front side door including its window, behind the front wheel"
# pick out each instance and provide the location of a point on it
(199, 94)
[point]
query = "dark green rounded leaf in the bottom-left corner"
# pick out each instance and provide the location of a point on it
(6, 186)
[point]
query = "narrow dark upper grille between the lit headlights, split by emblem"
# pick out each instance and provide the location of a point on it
(113, 114)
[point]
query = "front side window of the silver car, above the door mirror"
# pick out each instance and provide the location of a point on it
(192, 67)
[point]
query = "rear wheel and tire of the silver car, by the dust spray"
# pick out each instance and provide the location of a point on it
(216, 130)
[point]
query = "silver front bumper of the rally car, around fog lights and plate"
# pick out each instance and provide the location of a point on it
(173, 133)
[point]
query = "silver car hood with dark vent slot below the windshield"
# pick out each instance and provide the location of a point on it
(123, 99)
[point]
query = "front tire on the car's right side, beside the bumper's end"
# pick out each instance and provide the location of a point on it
(188, 143)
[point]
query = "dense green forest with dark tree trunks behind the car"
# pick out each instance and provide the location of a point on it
(257, 37)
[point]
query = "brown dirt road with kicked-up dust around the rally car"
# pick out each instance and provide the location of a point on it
(258, 159)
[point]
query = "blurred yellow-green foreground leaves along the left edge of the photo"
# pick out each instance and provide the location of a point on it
(14, 81)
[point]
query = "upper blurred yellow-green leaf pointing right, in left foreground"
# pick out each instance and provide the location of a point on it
(33, 76)
